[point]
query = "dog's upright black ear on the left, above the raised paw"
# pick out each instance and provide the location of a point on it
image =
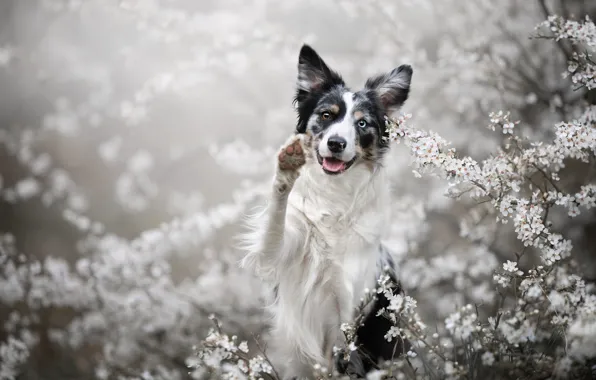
(313, 74)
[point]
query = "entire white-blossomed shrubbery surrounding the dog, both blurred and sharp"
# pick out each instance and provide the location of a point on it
(496, 274)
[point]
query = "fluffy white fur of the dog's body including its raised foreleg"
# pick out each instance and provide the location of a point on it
(317, 240)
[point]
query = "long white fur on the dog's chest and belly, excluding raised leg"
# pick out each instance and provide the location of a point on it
(338, 223)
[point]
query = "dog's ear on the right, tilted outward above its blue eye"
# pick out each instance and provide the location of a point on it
(392, 88)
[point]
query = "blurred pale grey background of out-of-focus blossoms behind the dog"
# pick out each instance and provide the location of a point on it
(135, 134)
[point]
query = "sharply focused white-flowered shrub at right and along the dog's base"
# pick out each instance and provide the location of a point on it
(542, 322)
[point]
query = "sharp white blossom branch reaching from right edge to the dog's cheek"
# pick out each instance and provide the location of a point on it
(500, 178)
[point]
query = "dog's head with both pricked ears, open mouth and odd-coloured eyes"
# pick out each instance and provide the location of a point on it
(346, 128)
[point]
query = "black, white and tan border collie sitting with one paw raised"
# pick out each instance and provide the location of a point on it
(318, 240)
